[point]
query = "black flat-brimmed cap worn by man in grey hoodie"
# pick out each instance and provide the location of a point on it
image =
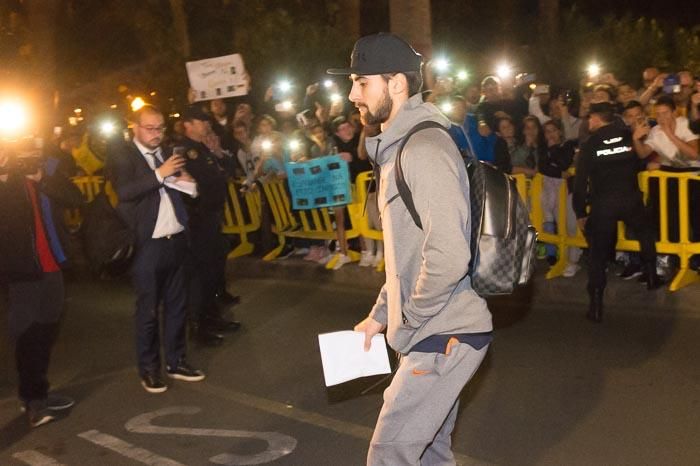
(381, 53)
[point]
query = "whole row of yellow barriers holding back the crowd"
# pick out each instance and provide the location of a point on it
(318, 223)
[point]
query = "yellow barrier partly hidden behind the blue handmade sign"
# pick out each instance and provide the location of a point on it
(308, 224)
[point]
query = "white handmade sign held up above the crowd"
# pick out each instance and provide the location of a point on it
(218, 78)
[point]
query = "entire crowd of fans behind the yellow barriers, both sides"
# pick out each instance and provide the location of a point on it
(520, 125)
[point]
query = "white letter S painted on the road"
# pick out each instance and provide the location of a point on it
(279, 445)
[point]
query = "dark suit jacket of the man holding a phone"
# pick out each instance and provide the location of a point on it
(137, 188)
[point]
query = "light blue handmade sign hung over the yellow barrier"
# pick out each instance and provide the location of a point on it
(321, 182)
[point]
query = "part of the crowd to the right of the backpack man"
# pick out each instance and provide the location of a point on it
(532, 127)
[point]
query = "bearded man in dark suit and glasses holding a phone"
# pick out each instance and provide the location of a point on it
(140, 172)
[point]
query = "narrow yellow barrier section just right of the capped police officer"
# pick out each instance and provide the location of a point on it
(234, 222)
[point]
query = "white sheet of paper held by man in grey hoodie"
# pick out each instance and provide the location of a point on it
(344, 358)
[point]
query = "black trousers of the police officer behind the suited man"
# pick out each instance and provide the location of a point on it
(207, 264)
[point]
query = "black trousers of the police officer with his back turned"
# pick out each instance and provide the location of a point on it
(601, 233)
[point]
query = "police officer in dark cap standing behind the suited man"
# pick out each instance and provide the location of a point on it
(208, 246)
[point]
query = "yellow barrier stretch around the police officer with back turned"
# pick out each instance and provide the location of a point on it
(684, 249)
